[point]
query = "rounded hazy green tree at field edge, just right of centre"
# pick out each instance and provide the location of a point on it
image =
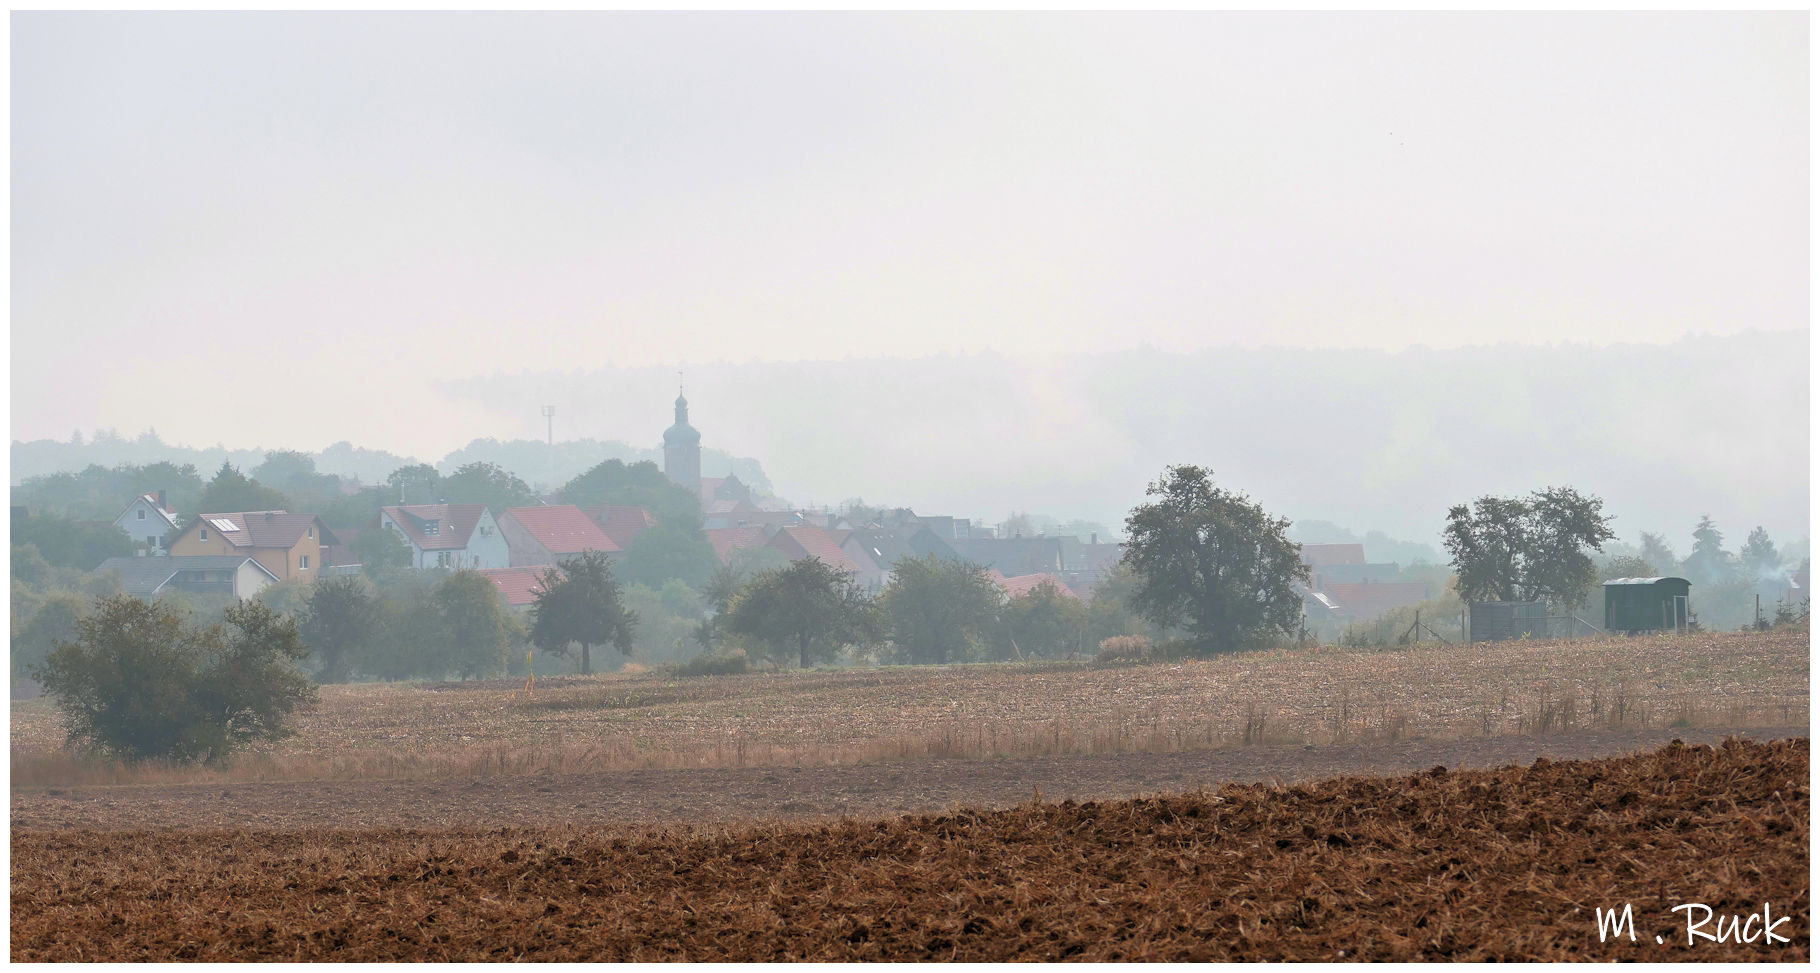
(936, 608)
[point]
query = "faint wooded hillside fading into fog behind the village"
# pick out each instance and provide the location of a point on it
(1371, 439)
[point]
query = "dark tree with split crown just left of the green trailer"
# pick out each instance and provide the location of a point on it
(1524, 550)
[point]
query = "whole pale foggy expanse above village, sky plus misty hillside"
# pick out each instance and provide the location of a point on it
(1360, 266)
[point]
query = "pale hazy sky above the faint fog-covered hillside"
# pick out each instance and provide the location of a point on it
(287, 230)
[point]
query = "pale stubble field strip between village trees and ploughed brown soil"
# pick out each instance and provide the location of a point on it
(614, 723)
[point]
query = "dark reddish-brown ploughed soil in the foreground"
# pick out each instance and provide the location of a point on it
(1441, 865)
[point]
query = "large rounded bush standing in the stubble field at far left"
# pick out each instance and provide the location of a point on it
(141, 685)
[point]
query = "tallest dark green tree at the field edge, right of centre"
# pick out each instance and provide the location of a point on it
(1215, 561)
